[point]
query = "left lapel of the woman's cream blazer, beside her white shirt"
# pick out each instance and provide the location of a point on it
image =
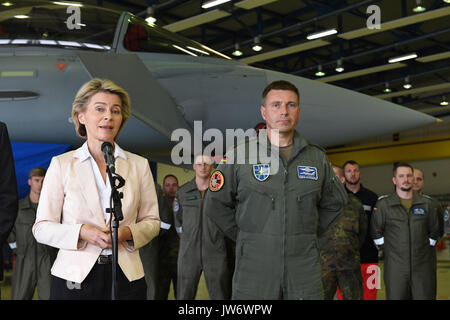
(88, 187)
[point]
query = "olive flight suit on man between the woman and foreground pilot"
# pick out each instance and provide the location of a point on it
(203, 247)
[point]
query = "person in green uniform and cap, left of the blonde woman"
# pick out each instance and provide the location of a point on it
(33, 260)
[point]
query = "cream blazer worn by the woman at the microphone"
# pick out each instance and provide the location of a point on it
(69, 199)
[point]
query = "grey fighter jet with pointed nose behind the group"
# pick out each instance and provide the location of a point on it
(49, 49)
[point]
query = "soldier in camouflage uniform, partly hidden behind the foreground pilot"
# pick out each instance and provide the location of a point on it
(339, 250)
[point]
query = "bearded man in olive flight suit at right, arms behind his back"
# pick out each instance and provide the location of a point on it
(406, 224)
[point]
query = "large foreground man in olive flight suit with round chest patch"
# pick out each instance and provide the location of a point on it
(275, 216)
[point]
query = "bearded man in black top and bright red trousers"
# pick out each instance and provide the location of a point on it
(368, 251)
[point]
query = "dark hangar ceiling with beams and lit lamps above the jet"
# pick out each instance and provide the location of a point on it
(282, 27)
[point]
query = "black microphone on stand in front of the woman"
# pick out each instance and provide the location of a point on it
(116, 210)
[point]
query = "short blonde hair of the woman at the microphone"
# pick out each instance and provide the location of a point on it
(86, 92)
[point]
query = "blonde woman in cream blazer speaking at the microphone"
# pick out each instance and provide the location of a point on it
(72, 214)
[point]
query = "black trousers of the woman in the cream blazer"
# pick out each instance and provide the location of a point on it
(98, 286)
